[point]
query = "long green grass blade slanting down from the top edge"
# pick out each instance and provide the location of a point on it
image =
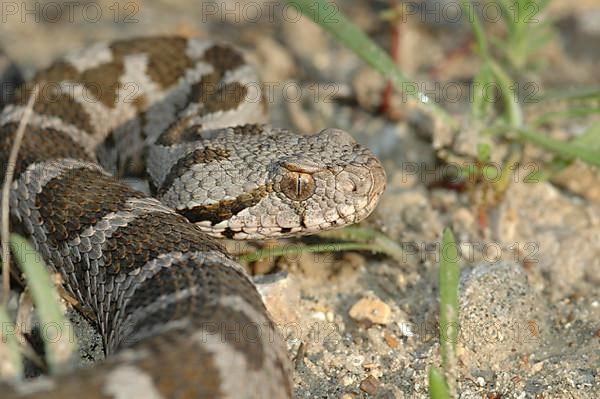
(330, 18)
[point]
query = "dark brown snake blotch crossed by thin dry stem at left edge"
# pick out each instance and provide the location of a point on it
(38, 145)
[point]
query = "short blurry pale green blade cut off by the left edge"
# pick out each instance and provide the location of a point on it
(10, 353)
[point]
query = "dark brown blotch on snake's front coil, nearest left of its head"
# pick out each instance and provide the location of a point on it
(79, 198)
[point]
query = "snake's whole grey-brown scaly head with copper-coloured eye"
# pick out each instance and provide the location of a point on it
(252, 183)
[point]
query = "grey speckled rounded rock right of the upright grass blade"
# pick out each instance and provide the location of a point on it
(500, 317)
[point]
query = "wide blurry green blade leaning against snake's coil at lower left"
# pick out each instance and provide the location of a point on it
(56, 331)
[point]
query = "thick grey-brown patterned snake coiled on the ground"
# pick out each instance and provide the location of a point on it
(178, 316)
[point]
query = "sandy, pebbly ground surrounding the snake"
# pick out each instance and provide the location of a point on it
(363, 326)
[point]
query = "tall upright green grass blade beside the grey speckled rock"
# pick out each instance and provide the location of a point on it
(448, 276)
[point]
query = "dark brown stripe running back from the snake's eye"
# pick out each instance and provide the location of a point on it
(225, 209)
